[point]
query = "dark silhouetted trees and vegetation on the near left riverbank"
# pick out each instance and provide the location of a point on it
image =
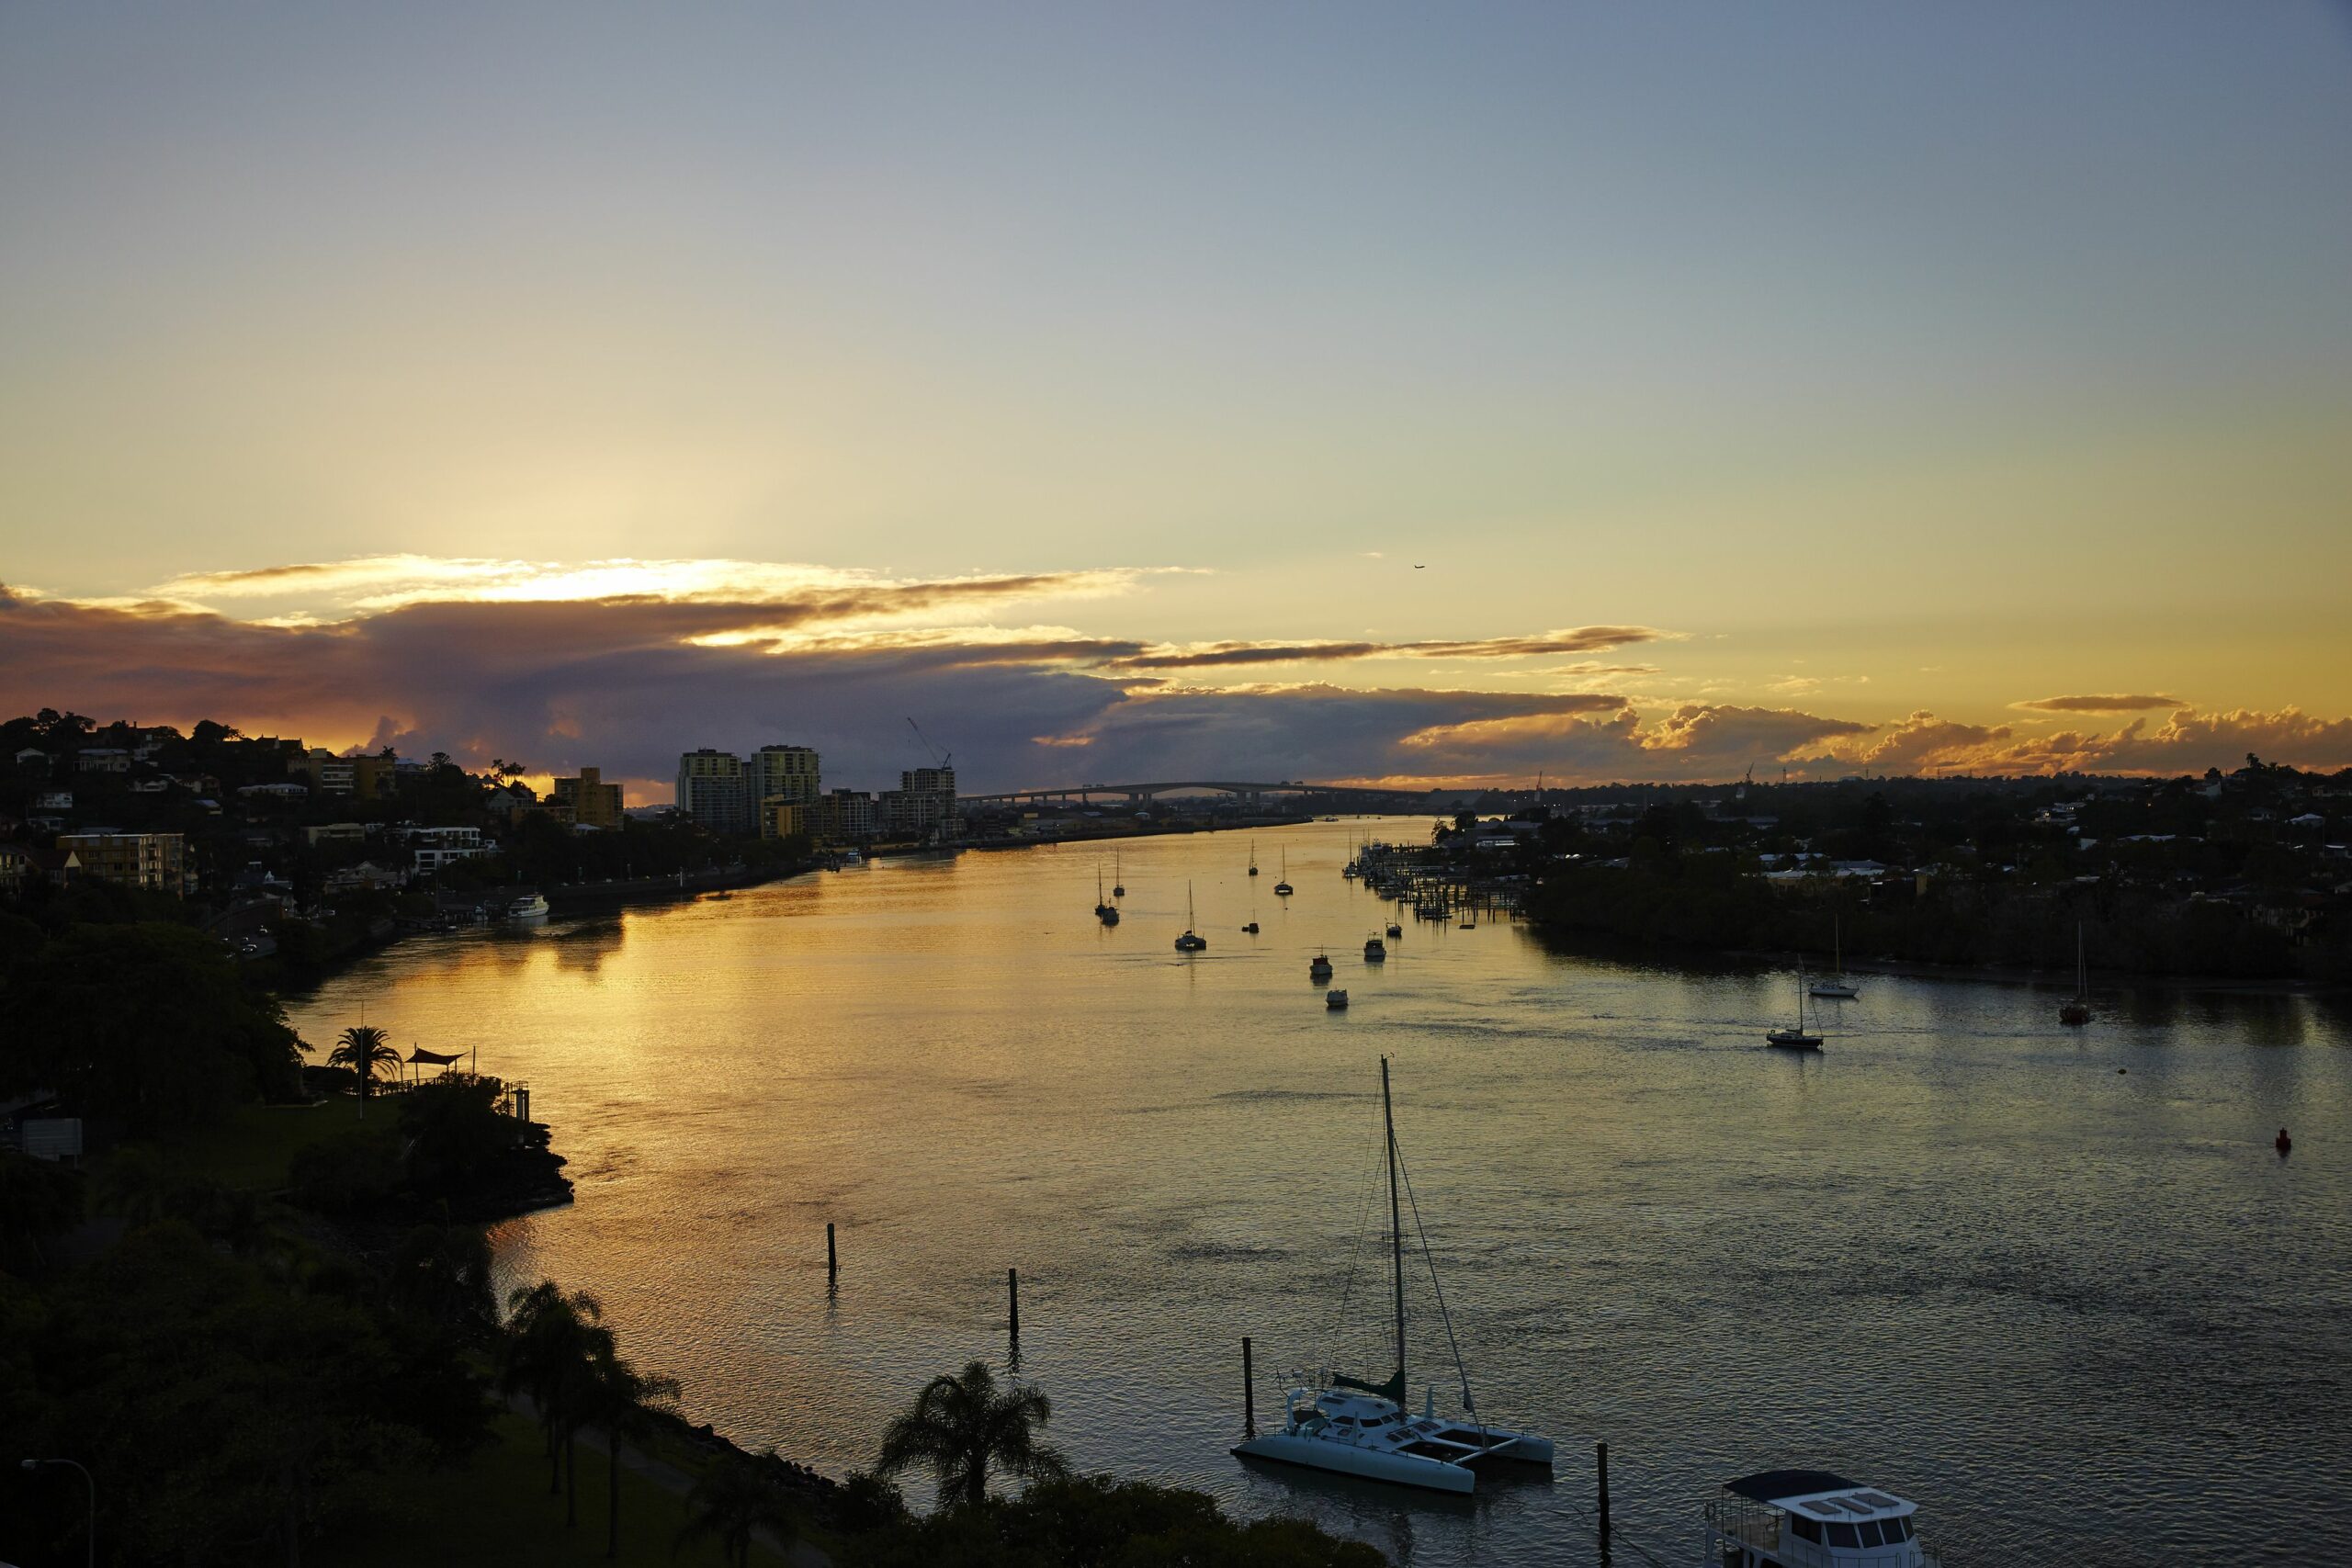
(260, 1313)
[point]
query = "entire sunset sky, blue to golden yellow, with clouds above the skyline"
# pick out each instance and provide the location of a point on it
(1309, 391)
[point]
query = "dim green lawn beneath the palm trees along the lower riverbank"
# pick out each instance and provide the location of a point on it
(497, 1510)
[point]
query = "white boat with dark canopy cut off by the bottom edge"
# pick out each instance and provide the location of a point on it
(1810, 1520)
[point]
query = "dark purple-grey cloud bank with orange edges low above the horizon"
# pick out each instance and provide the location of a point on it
(617, 685)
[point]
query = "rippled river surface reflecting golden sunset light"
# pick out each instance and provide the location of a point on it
(2052, 1285)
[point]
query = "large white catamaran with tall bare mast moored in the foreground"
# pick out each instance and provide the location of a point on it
(1361, 1428)
